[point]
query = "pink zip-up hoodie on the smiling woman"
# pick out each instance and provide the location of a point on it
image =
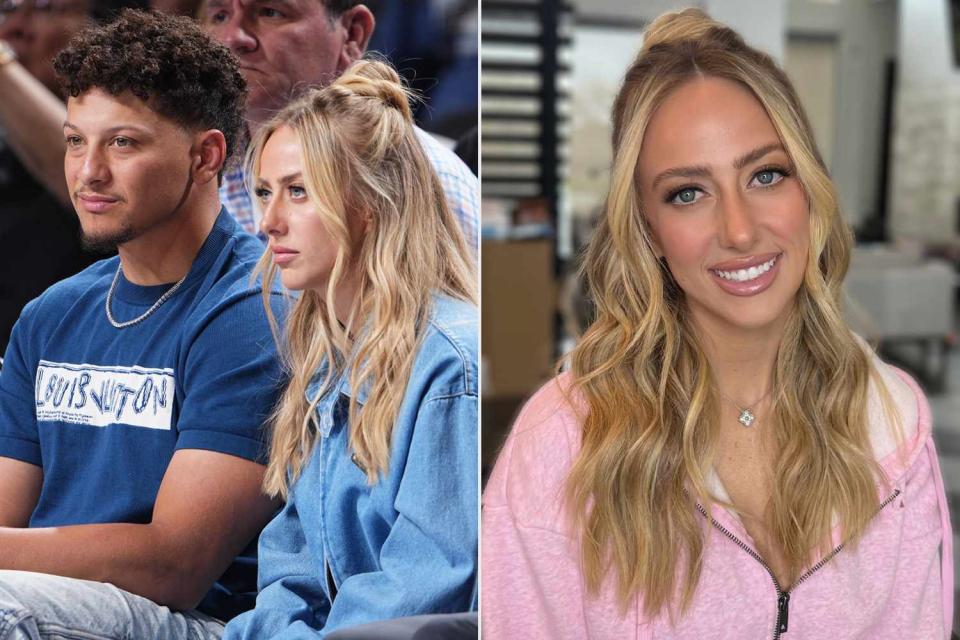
(896, 584)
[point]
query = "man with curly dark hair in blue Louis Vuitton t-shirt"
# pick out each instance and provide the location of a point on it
(133, 394)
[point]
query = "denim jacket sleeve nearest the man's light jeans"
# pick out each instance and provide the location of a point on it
(291, 602)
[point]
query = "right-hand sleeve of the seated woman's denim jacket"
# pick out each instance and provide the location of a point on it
(428, 561)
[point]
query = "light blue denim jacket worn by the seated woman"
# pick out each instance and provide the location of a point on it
(342, 552)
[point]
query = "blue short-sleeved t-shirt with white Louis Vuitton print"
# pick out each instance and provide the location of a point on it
(102, 410)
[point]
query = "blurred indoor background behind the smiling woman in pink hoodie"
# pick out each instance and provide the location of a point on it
(880, 80)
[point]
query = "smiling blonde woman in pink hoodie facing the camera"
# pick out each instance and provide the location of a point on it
(725, 457)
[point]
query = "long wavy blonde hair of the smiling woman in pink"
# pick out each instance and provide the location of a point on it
(651, 407)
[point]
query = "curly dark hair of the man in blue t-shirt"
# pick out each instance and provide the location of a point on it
(166, 61)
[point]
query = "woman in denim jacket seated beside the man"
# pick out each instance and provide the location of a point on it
(374, 443)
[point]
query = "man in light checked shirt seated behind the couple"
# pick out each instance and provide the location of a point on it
(287, 46)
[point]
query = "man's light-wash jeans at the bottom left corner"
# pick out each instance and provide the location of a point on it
(37, 606)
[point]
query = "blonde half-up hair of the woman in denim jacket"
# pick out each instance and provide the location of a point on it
(362, 157)
